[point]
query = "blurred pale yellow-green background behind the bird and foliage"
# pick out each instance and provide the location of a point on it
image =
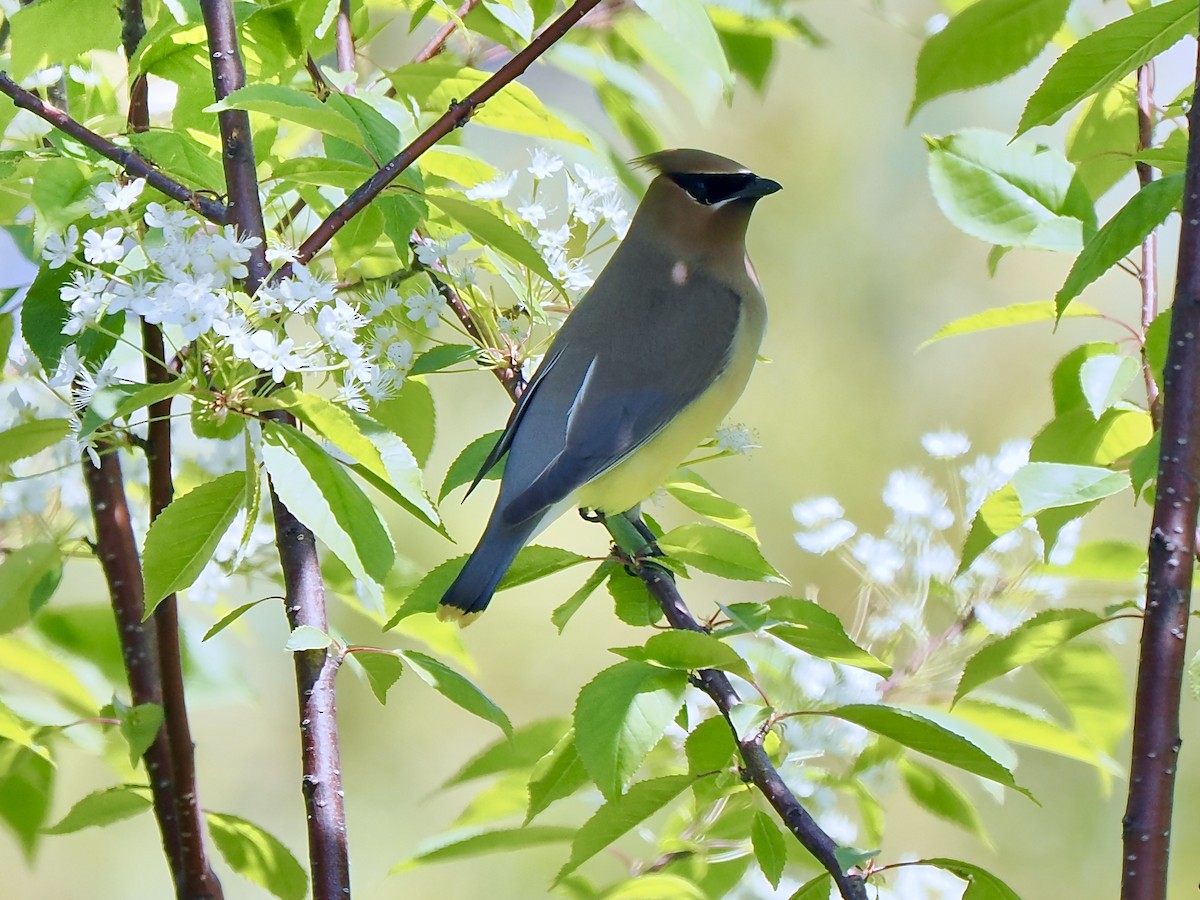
(860, 268)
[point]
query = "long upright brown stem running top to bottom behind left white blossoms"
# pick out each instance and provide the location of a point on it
(321, 755)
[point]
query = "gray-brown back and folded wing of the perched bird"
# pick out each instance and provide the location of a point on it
(604, 392)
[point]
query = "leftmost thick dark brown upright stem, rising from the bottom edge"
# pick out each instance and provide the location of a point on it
(118, 554)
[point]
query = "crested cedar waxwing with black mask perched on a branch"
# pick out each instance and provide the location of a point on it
(646, 367)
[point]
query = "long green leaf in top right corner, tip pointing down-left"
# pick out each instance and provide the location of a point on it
(1106, 57)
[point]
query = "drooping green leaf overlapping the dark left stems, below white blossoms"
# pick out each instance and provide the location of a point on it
(184, 537)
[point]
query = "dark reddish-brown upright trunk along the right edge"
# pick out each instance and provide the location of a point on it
(1156, 723)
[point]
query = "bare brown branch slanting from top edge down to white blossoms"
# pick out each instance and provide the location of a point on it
(452, 119)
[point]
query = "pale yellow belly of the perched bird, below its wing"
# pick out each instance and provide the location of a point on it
(638, 477)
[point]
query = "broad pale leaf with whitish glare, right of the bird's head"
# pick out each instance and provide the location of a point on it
(1011, 194)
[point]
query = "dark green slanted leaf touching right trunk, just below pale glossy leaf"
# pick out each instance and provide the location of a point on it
(1143, 214)
